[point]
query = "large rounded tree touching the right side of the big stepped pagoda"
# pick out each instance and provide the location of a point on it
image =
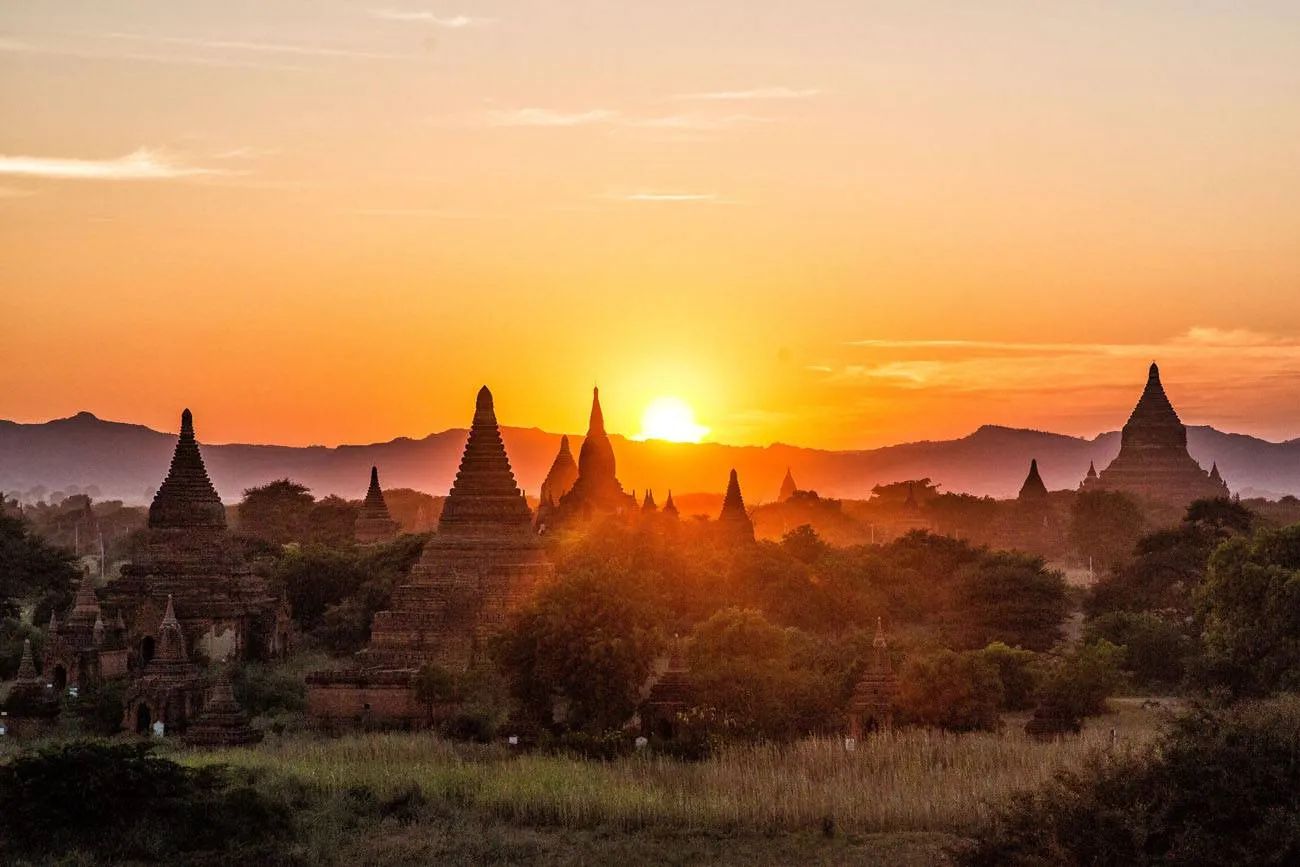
(584, 644)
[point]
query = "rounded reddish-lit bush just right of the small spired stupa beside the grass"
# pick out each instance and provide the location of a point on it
(951, 691)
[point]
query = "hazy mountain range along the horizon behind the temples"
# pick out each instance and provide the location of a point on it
(115, 461)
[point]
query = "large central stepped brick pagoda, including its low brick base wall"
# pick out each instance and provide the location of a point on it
(484, 562)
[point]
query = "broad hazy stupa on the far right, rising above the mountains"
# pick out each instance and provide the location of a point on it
(1154, 462)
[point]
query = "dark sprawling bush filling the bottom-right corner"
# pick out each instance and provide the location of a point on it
(1223, 790)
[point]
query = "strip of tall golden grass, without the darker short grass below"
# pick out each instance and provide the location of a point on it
(902, 782)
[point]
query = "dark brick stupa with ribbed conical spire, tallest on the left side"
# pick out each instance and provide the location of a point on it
(188, 554)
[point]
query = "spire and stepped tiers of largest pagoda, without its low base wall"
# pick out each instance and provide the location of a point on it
(484, 561)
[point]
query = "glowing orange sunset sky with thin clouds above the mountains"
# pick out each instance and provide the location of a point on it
(833, 223)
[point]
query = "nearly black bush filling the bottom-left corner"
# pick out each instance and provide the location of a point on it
(119, 803)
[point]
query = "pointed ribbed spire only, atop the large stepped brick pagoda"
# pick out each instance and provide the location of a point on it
(484, 497)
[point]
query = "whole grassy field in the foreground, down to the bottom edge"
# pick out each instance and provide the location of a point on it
(899, 799)
